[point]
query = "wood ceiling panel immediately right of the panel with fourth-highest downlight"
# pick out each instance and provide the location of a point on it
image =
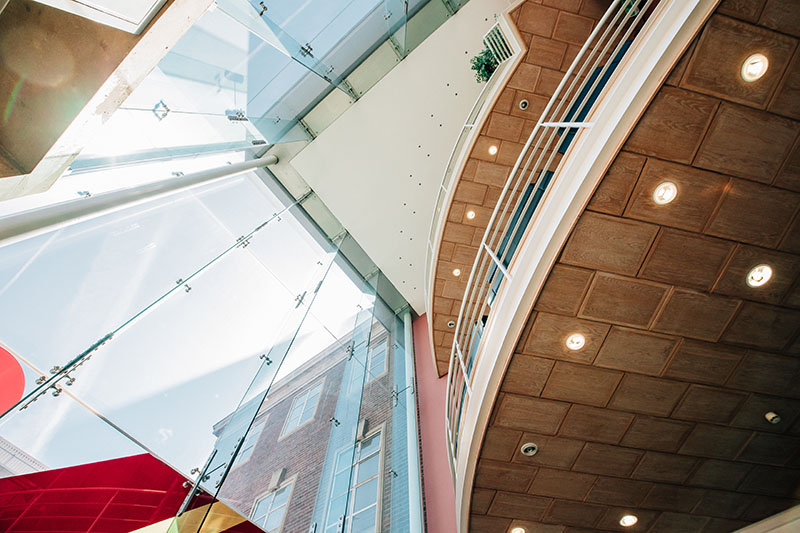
(635, 350)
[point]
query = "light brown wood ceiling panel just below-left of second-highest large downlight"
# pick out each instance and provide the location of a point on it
(609, 243)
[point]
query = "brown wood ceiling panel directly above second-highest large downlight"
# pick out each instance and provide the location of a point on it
(682, 116)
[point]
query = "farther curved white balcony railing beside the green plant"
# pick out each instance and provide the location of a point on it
(503, 47)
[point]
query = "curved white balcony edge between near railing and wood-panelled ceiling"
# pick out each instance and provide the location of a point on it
(669, 31)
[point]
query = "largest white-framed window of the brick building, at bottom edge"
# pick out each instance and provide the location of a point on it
(363, 494)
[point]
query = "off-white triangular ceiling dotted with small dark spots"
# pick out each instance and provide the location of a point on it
(378, 168)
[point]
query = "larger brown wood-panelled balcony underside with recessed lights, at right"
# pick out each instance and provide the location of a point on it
(661, 413)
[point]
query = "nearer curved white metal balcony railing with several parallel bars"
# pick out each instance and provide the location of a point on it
(563, 120)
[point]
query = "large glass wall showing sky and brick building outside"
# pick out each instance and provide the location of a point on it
(218, 330)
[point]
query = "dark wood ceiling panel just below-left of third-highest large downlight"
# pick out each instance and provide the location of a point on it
(696, 315)
